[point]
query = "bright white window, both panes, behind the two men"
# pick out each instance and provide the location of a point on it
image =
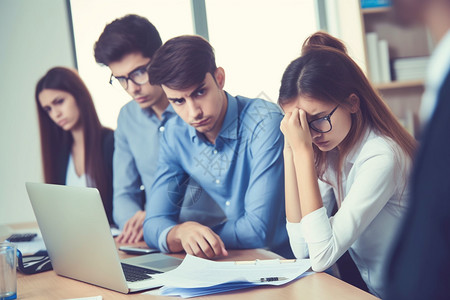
(254, 41)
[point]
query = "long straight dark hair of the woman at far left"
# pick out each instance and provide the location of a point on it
(54, 140)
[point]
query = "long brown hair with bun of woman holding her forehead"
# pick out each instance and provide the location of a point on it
(326, 72)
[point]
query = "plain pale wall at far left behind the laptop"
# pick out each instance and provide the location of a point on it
(34, 36)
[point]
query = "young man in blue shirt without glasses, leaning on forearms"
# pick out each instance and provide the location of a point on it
(231, 146)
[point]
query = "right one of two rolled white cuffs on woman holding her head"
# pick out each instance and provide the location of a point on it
(316, 226)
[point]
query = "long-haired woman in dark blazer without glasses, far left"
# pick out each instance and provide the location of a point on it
(76, 149)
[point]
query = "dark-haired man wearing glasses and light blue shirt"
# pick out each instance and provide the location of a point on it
(126, 46)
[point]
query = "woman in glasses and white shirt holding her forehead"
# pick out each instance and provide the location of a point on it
(343, 147)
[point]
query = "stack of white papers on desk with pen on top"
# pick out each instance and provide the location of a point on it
(197, 277)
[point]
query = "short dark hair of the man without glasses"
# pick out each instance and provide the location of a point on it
(182, 62)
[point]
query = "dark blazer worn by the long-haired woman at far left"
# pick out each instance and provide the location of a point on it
(107, 151)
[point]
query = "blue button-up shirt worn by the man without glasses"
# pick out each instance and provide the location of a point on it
(243, 172)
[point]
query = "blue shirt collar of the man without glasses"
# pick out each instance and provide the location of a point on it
(229, 128)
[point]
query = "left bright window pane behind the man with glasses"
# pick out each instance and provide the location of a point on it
(170, 17)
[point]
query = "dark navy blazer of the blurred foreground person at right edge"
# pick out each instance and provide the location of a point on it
(420, 266)
